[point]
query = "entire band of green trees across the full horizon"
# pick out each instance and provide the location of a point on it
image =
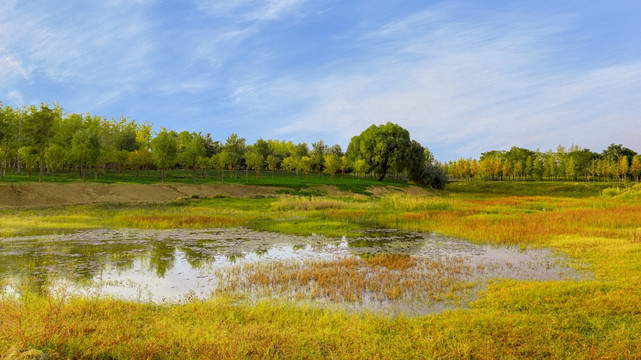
(385, 149)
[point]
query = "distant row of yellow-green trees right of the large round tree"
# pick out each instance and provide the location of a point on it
(575, 163)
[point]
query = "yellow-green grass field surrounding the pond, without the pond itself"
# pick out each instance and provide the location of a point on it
(595, 318)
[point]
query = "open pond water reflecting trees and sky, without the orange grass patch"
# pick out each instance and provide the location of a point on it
(168, 265)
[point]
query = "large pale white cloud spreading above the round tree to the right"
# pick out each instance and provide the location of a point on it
(464, 87)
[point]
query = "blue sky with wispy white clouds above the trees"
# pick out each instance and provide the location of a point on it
(463, 77)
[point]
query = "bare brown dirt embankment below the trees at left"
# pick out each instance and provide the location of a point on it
(46, 194)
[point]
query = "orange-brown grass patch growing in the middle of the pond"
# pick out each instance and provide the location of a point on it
(351, 279)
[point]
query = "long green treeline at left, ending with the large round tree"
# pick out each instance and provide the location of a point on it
(45, 139)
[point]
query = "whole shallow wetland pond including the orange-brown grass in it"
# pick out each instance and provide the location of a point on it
(384, 271)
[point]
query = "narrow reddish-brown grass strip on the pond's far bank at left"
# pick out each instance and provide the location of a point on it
(178, 221)
